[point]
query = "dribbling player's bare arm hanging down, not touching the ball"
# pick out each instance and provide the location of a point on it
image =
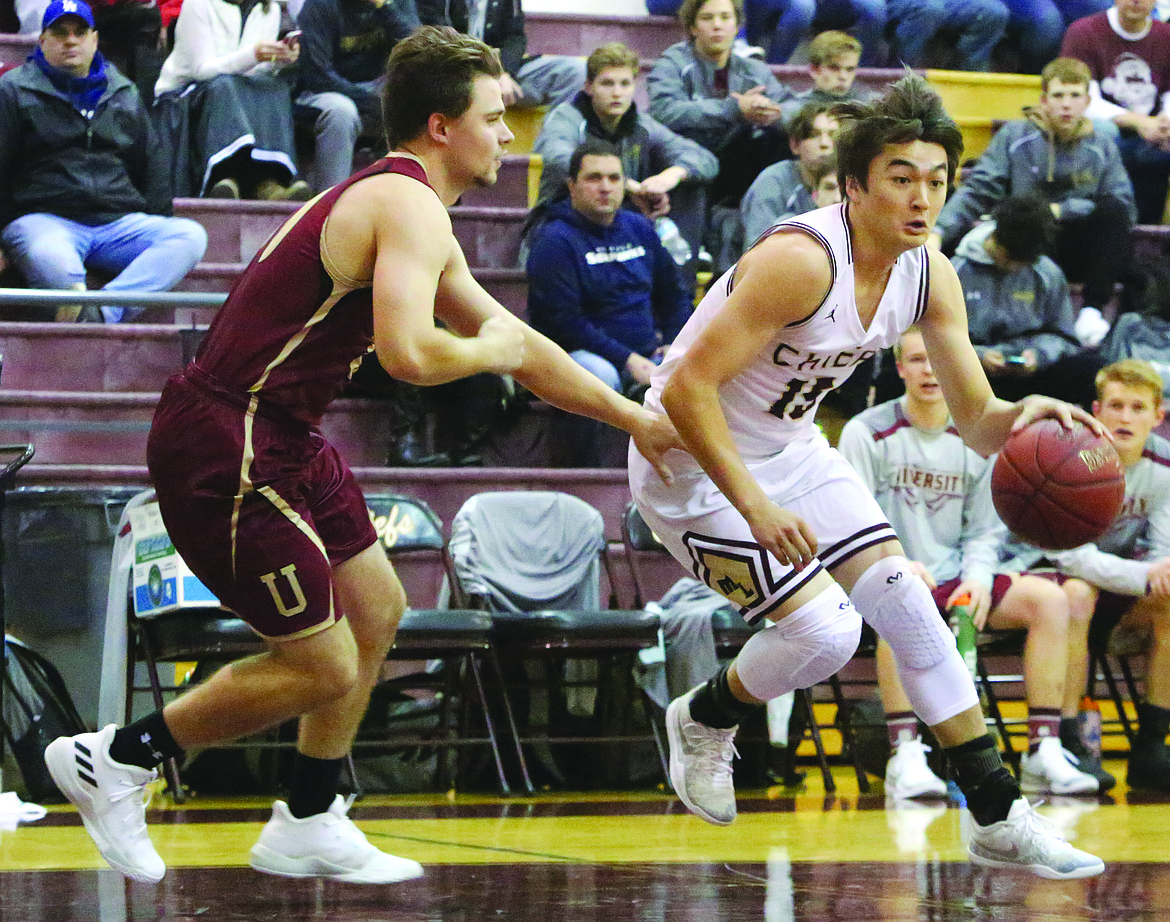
(782, 280)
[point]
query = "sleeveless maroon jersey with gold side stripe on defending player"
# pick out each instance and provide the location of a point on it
(291, 333)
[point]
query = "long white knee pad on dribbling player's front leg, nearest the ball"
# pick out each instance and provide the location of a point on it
(900, 608)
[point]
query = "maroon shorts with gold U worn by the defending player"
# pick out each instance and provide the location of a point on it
(259, 505)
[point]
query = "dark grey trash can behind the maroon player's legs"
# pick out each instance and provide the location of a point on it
(58, 546)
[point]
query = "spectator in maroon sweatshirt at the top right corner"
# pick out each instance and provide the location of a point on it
(1128, 57)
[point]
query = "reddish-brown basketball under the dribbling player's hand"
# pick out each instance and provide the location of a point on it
(1058, 488)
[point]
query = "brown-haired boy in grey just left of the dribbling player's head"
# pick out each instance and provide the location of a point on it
(787, 189)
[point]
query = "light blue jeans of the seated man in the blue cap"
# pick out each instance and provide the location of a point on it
(142, 252)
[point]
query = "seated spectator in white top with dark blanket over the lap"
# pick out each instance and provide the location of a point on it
(223, 90)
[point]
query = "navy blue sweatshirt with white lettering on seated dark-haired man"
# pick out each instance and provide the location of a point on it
(610, 291)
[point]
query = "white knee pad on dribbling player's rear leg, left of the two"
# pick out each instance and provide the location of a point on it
(803, 649)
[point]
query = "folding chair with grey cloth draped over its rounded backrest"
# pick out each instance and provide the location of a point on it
(534, 560)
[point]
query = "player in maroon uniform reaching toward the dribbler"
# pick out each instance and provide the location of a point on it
(265, 511)
